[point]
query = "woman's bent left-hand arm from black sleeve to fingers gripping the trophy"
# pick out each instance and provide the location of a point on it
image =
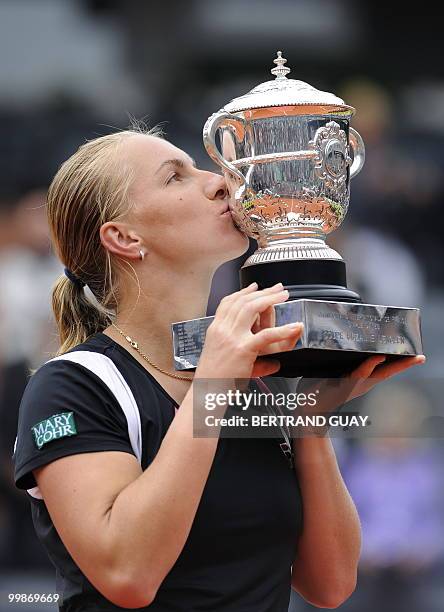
(126, 528)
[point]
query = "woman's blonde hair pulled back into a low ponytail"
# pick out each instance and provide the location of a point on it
(89, 189)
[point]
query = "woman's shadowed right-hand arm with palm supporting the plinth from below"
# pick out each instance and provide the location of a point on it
(325, 569)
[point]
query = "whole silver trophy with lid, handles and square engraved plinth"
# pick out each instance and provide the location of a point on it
(288, 153)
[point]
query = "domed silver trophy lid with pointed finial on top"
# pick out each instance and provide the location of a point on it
(286, 92)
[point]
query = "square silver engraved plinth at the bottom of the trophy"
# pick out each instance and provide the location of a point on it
(337, 337)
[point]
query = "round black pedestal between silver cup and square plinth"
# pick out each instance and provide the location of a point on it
(315, 279)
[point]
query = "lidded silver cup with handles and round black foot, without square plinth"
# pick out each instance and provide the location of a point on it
(286, 152)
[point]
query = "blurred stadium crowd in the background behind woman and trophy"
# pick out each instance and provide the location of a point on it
(391, 242)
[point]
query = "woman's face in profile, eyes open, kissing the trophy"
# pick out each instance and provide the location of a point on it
(180, 212)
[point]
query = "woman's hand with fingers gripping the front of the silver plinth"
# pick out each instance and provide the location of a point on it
(242, 331)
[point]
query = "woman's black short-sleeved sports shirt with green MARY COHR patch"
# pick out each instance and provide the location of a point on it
(243, 541)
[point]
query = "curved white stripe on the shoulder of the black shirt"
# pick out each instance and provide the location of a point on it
(103, 367)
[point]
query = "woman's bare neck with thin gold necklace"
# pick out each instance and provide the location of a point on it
(164, 299)
